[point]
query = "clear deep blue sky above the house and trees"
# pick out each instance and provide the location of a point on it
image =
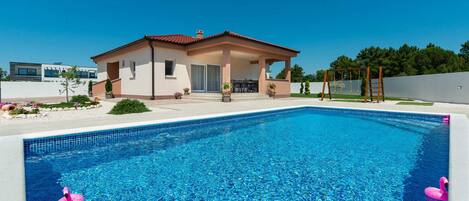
(72, 31)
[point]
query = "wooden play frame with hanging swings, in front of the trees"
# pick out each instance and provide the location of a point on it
(373, 86)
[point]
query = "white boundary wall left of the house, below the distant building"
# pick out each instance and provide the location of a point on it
(37, 89)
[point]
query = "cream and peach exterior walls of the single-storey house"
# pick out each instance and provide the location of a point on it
(243, 65)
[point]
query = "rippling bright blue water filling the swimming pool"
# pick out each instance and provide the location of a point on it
(296, 154)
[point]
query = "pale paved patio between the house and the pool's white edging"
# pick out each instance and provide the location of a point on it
(183, 108)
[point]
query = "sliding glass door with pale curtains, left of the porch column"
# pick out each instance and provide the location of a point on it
(205, 78)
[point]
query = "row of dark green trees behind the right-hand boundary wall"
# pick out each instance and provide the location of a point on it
(404, 61)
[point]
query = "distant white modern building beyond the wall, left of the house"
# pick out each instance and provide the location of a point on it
(40, 72)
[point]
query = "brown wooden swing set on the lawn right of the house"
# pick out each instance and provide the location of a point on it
(369, 85)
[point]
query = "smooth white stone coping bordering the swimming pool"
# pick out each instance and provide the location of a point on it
(12, 178)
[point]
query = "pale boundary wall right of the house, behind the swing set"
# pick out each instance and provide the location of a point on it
(448, 87)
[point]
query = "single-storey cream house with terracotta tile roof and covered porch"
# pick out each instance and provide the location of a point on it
(155, 67)
